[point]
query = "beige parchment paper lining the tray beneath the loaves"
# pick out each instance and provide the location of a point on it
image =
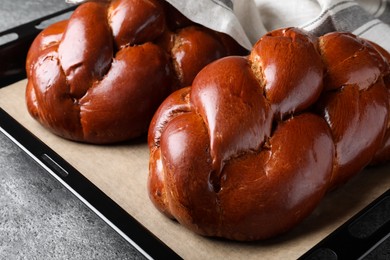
(121, 172)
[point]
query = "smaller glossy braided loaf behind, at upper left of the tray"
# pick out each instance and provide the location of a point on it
(100, 76)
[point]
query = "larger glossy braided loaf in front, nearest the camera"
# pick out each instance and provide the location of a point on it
(252, 147)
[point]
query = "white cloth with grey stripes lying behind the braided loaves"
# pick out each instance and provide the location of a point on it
(248, 20)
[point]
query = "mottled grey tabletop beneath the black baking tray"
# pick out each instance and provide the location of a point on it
(39, 218)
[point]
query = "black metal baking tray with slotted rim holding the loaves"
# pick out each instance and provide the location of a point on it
(361, 237)
